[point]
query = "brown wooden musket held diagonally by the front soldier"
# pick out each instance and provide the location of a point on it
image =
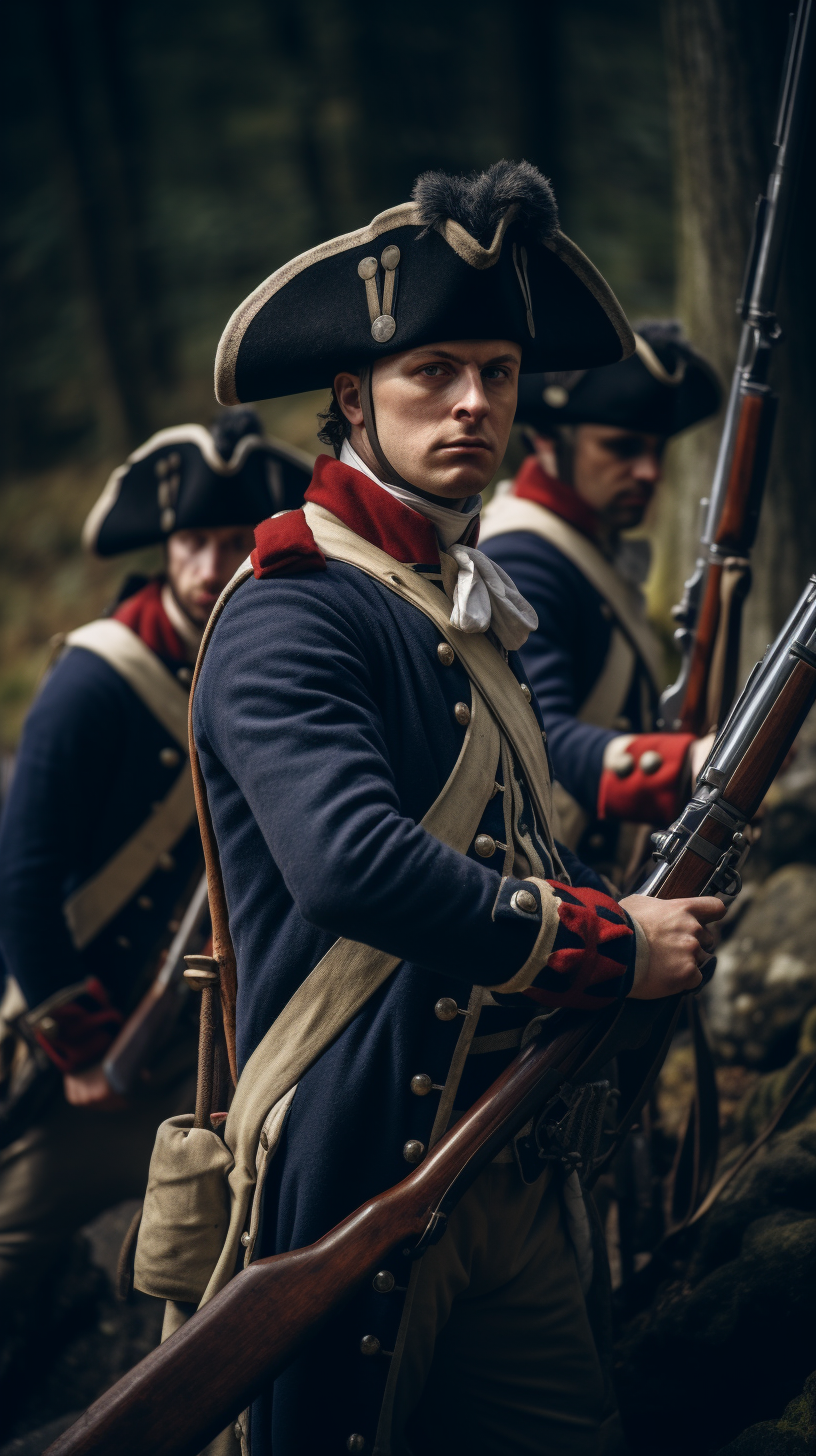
(189, 1390)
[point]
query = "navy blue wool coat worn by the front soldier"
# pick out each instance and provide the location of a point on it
(326, 729)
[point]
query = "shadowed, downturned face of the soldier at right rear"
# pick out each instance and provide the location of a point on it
(617, 472)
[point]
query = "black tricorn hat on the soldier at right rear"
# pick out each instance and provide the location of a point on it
(664, 388)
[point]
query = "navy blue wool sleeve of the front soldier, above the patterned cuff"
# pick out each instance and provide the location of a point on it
(299, 703)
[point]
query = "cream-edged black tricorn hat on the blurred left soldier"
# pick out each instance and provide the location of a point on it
(190, 477)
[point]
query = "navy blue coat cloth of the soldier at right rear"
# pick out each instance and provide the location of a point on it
(565, 657)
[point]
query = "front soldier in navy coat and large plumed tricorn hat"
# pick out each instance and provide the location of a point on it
(378, 783)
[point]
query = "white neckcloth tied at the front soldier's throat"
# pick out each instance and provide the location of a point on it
(484, 595)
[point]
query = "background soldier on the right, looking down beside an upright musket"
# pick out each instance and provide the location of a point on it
(597, 443)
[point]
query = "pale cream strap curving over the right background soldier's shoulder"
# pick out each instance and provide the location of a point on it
(512, 513)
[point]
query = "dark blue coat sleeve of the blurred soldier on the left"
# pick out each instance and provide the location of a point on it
(66, 762)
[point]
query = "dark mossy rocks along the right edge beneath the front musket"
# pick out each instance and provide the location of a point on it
(718, 1342)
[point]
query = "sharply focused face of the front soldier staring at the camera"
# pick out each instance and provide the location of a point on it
(444, 413)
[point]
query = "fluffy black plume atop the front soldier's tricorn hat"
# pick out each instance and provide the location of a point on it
(479, 202)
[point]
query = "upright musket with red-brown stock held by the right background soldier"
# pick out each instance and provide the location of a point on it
(710, 614)
